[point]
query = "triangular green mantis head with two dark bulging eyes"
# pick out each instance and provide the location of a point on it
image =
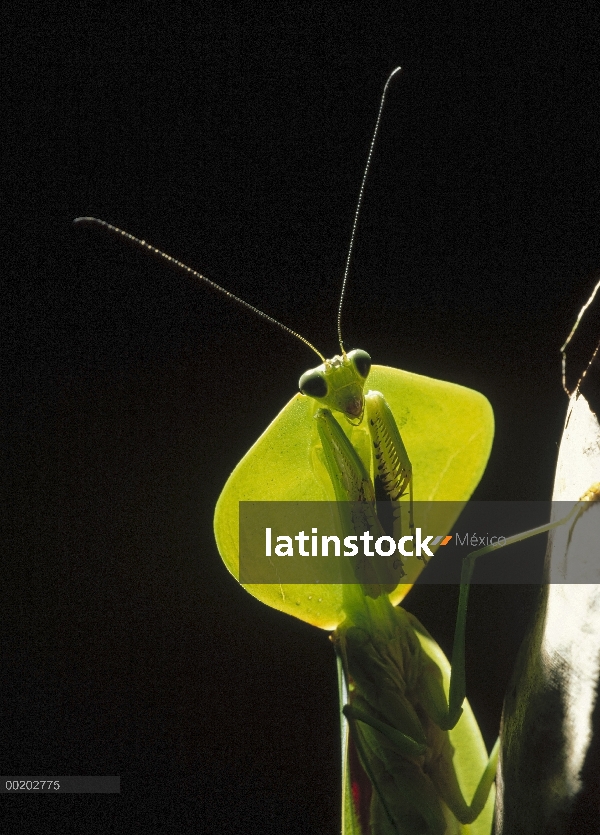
(338, 384)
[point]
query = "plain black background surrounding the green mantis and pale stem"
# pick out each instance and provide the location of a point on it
(235, 139)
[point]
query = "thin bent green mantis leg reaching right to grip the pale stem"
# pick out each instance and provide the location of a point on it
(457, 681)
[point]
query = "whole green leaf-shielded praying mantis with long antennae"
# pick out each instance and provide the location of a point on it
(407, 727)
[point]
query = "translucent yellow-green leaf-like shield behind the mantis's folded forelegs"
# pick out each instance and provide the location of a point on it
(447, 430)
